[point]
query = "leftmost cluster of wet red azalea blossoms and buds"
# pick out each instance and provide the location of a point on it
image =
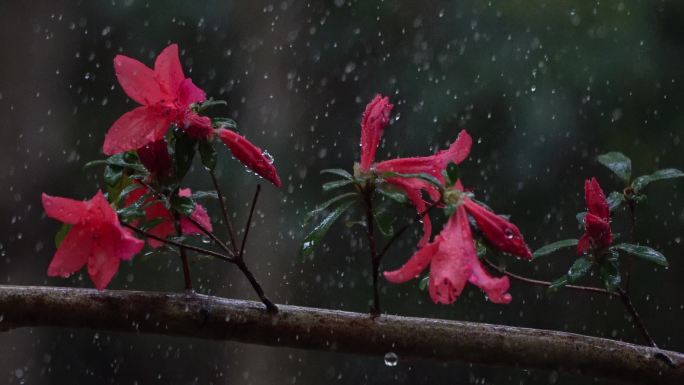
(167, 101)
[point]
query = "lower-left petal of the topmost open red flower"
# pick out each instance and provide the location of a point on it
(136, 129)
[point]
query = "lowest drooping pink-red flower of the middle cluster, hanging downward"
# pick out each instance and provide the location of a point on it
(452, 255)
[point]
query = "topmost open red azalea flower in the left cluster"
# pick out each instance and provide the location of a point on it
(165, 95)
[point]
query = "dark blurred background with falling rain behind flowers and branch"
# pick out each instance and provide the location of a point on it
(542, 86)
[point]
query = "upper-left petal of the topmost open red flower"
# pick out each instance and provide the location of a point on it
(138, 81)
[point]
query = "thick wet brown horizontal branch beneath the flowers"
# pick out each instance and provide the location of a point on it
(200, 316)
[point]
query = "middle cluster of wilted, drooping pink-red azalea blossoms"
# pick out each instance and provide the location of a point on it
(452, 255)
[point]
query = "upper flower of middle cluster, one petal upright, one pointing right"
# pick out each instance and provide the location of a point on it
(375, 119)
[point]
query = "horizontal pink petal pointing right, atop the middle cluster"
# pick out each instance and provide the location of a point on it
(434, 164)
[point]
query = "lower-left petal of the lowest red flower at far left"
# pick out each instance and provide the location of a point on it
(72, 253)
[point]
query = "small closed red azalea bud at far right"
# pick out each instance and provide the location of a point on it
(597, 234)
